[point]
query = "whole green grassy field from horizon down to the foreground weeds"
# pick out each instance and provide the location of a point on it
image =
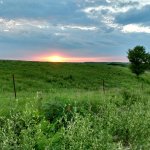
(62, 106)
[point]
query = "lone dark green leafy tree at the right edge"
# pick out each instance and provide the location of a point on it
(139, 59)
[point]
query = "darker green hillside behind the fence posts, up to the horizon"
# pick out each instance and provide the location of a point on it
(36, 76)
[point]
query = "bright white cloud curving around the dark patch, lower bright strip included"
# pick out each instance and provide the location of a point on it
(105, 14)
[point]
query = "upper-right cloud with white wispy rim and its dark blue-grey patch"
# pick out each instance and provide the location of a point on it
(115, 14)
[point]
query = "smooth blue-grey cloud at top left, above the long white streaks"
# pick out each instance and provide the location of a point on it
(54, 11)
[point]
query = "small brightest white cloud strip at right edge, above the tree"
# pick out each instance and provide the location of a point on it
(135, 28)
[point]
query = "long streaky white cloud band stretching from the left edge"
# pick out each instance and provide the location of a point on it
(30, 26)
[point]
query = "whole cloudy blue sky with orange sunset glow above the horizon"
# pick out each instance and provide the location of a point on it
(75, 30)
